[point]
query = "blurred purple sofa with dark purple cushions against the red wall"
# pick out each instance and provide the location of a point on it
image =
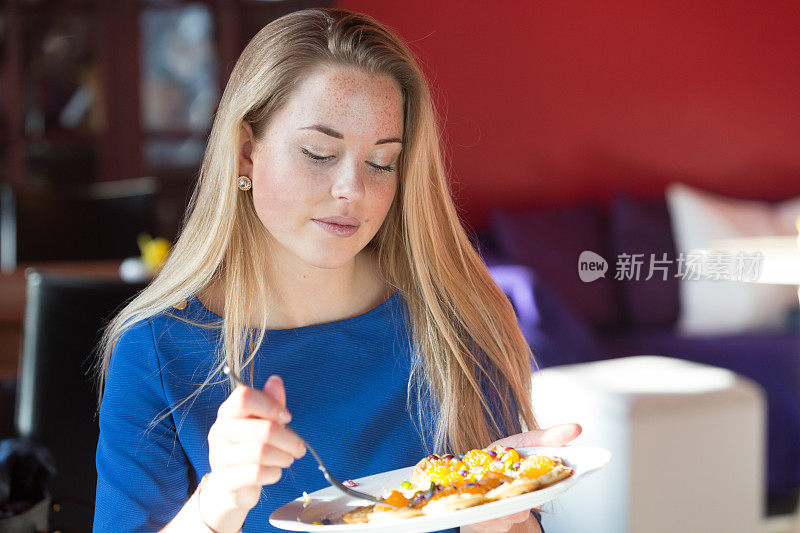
(534, 257)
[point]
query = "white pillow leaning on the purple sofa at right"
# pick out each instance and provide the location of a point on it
(726, 307)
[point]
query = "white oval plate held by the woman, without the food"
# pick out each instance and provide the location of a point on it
(330, 503)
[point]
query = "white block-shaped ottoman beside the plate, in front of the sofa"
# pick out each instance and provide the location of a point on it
(687, 443)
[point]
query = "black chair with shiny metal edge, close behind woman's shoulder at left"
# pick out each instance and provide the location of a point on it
(56, 397)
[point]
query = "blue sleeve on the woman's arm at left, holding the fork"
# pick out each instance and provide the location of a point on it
(140, 469)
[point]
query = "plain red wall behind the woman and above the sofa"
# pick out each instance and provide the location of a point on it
(548, 103)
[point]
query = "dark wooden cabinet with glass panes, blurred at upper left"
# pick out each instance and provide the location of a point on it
(101, 90)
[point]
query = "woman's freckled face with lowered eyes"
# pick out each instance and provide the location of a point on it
(324, 173)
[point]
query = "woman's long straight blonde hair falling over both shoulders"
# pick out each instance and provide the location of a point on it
(471, 361)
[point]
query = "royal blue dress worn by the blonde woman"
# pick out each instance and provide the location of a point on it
(346, 384)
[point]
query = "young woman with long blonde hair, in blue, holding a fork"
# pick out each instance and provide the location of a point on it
(323, 262)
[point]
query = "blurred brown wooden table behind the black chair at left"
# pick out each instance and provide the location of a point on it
(12, 301)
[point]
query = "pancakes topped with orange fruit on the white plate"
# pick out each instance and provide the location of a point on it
(444, 483)
